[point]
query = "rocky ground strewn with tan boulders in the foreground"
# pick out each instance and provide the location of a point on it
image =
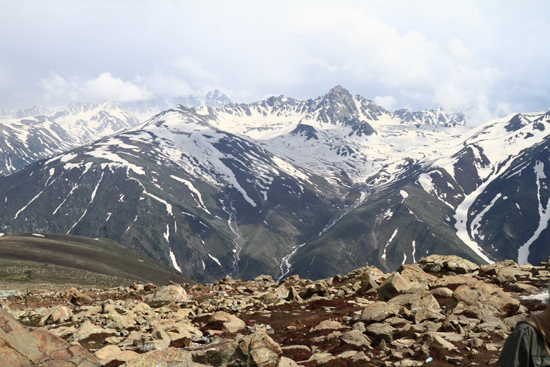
(441, 311)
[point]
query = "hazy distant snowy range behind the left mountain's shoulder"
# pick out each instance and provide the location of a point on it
(40, 132)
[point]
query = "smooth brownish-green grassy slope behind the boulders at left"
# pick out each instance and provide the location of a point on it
(59, 258)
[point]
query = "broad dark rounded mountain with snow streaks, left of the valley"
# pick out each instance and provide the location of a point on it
(207, 202)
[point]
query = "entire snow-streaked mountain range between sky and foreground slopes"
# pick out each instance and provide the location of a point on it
(281, 186)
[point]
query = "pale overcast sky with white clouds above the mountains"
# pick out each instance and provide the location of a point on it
(486, 58)
